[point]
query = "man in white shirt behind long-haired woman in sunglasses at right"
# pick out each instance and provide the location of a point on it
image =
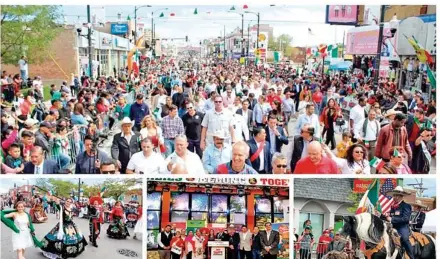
(367, 131)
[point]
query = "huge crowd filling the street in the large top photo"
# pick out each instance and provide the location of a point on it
(218, 117)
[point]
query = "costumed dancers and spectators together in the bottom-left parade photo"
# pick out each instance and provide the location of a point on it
(65, 239)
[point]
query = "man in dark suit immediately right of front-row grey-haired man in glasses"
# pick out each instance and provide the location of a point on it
(259, 152)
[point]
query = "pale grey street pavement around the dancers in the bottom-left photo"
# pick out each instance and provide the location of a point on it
(108, 248)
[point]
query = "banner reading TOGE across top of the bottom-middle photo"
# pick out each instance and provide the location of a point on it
(276, 182)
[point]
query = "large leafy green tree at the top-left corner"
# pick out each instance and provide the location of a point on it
(28, 30)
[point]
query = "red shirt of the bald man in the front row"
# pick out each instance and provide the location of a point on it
(326, 166)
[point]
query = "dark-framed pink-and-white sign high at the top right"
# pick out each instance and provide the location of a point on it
(342, 14)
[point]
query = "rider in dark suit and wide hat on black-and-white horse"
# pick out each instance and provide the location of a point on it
(399, 216)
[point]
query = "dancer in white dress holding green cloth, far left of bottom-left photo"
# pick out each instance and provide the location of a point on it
(20, 222)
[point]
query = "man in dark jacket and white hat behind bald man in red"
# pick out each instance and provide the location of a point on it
(300, 144)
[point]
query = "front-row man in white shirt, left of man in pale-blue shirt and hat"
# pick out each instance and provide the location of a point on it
(183, 157)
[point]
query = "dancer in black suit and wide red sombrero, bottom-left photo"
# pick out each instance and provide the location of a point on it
(96, 218)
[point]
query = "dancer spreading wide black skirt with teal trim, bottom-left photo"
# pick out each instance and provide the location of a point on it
(65, 239)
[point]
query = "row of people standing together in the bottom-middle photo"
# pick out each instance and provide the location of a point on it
(244, 244)
